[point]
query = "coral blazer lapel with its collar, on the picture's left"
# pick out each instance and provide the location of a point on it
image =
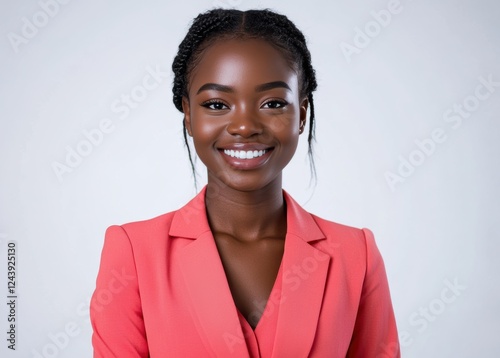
(211, 302)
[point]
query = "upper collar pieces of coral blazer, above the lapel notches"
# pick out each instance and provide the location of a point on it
(191, 220)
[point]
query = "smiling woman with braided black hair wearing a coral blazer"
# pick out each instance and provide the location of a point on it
(242, 270)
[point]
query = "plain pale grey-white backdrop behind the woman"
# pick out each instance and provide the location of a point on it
(436, 227)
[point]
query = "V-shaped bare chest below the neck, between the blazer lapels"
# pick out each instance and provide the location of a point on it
(251, 270)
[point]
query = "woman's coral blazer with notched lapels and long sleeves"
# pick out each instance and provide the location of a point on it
(162, 291)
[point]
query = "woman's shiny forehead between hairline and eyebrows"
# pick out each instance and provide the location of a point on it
(229, 61)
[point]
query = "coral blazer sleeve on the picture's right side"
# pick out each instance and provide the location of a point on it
(375, 332)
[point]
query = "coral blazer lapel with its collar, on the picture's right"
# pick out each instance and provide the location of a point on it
(305, 270)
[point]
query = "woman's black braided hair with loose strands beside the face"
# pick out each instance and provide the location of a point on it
(267, 25)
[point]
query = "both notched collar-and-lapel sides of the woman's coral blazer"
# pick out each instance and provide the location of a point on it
(304, 275)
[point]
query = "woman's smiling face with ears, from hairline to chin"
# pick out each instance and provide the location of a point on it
(244, 113)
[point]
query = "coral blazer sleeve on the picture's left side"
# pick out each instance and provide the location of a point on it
(115, 307)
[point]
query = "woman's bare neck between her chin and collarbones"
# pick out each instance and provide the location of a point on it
(246, 215)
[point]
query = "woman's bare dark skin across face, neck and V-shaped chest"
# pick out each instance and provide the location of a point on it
(244, 96)
